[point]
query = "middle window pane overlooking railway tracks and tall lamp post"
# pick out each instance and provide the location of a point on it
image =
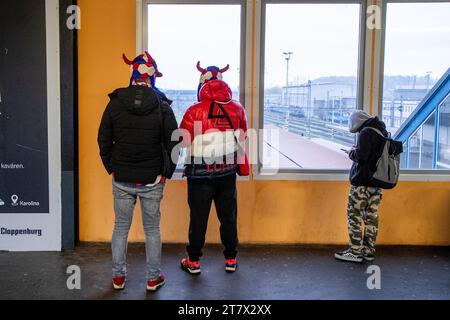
(311, 77)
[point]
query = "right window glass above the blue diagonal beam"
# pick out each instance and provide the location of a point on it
(416, 56)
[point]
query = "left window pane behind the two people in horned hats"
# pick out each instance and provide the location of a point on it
(180, 35)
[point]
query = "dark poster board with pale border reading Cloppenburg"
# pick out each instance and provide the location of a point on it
(30, 162)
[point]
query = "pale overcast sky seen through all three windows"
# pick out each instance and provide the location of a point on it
(324, 39)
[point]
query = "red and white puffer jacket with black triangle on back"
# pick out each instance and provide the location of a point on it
(211, 132)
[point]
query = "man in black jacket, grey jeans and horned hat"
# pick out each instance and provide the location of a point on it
(135, 131)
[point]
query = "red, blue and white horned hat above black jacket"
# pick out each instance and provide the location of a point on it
(143, 67)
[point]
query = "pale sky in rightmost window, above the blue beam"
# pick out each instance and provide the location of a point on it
(418, 39)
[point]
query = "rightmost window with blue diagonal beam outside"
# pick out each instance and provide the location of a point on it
(417, 48)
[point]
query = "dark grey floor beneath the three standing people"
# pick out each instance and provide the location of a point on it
(266, 273)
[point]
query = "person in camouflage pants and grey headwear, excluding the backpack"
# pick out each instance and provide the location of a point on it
(364, 197)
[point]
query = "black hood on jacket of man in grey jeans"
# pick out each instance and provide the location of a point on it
(138, 100)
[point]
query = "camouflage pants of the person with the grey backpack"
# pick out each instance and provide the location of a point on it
(363, 203)
